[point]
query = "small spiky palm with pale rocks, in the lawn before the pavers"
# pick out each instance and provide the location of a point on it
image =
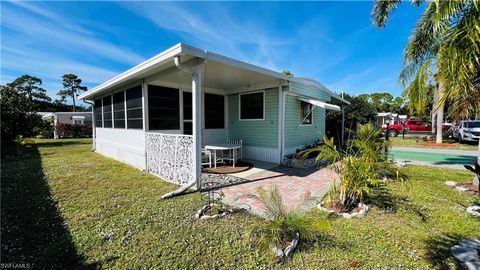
(283, 228)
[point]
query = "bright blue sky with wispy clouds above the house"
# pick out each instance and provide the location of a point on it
(332, 42)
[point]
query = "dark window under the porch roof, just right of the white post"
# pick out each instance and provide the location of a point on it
(214, 111)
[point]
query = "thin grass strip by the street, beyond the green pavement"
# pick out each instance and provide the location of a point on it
(410, 141)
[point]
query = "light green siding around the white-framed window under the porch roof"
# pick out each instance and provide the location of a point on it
(260, 133)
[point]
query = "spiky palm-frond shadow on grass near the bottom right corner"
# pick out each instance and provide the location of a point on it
(438, 250)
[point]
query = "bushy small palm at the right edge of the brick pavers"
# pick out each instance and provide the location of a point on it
(361, 165)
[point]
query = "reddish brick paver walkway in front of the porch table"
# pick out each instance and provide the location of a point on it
(299, 187)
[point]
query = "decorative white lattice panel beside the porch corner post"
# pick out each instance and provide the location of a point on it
(170, 156)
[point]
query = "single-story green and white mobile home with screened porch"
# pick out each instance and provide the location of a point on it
(160, 114)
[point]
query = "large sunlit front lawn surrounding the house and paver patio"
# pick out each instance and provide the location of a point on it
(64, 206)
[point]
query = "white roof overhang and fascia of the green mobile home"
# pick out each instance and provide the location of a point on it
(221, 72)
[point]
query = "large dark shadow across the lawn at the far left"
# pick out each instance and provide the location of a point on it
(33, 231)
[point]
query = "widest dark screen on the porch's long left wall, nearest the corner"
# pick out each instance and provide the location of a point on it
(134, 107)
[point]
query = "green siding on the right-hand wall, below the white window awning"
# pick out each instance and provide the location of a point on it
(295, 135)
